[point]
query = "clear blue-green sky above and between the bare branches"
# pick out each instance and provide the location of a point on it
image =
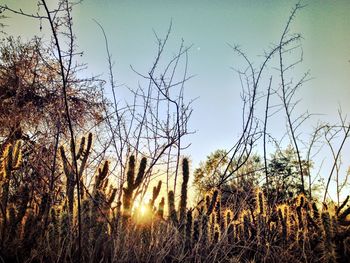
(210, 26)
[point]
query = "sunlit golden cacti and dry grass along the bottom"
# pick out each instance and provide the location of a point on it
(253, 230)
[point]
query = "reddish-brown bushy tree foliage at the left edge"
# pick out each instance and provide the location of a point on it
(30, 91)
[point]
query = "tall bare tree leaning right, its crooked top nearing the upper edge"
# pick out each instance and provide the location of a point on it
(251, 95)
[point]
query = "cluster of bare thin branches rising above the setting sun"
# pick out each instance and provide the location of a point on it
(153, 123)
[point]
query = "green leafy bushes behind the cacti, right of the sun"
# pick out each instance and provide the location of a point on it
(282, 171)
